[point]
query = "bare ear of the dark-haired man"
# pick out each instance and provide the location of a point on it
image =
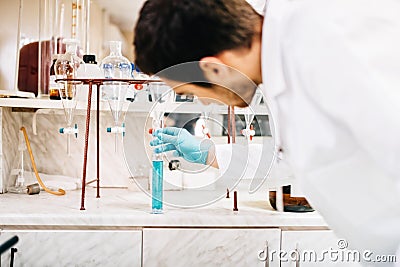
(214, 69)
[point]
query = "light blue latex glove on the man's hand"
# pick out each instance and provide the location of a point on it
(182, 143)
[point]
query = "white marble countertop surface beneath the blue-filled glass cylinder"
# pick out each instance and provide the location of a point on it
(121, 208)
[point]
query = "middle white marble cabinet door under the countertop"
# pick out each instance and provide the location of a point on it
(208, 247)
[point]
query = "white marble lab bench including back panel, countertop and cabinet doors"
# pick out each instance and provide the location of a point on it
(118, 229)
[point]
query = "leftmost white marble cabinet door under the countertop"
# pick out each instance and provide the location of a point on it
(74, 248)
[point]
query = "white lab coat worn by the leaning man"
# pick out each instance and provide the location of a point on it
(331, 73)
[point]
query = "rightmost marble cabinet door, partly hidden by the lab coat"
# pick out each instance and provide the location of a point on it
(315, 248)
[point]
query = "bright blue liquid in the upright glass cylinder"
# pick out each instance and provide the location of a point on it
(157, 187)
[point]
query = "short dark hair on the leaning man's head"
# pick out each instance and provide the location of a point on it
(171, 32)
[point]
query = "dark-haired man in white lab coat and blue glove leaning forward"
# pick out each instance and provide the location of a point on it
(331, 74)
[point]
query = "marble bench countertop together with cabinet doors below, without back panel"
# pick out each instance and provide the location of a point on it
(118, 228)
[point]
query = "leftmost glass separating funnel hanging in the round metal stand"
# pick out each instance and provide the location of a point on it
(66, 67)
